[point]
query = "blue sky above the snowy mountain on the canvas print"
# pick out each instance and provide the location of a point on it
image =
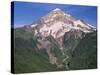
(25, 13)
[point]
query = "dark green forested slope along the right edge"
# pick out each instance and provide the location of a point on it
(85, 54)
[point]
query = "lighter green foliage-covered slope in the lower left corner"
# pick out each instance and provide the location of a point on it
(32, 62)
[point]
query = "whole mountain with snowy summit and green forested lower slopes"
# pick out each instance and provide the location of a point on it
(55, 42)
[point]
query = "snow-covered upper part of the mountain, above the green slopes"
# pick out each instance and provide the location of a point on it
(57, 23)
